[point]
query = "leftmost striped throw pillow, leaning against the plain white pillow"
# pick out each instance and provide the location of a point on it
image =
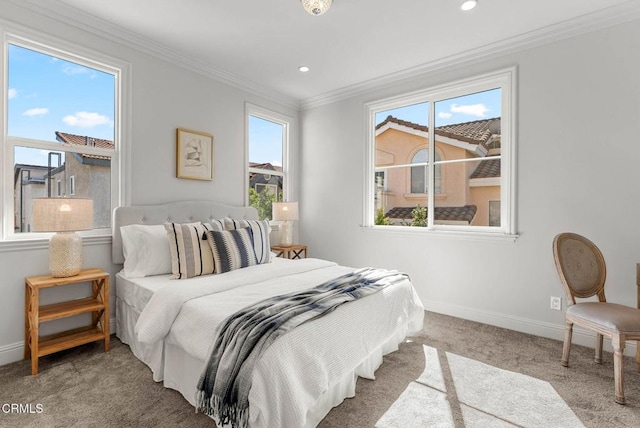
(190, 255)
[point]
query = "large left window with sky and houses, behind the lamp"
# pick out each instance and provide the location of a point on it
(62, 126)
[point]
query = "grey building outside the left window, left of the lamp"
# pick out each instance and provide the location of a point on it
(28, 183)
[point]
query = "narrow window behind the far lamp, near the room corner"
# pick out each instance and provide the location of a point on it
(267, 153)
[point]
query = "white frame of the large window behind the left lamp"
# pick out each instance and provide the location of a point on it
(120, 165)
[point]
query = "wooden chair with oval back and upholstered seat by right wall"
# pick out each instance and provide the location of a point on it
(582, 271)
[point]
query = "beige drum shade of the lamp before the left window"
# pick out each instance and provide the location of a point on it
(62, 214)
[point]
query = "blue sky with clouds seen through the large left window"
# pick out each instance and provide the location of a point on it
(48, 94)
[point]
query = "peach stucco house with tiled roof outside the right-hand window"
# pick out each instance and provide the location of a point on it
(465, 192)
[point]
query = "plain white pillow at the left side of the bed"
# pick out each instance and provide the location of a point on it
(146, 250)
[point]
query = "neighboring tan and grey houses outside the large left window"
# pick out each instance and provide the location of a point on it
(79, 176)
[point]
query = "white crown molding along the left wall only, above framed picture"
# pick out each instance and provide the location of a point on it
(69, 15)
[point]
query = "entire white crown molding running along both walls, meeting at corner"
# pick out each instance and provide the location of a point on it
(594, 21)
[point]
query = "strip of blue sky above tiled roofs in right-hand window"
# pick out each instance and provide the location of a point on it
(483, 105)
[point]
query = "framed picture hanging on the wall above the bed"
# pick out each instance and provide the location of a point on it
(194, 155)
